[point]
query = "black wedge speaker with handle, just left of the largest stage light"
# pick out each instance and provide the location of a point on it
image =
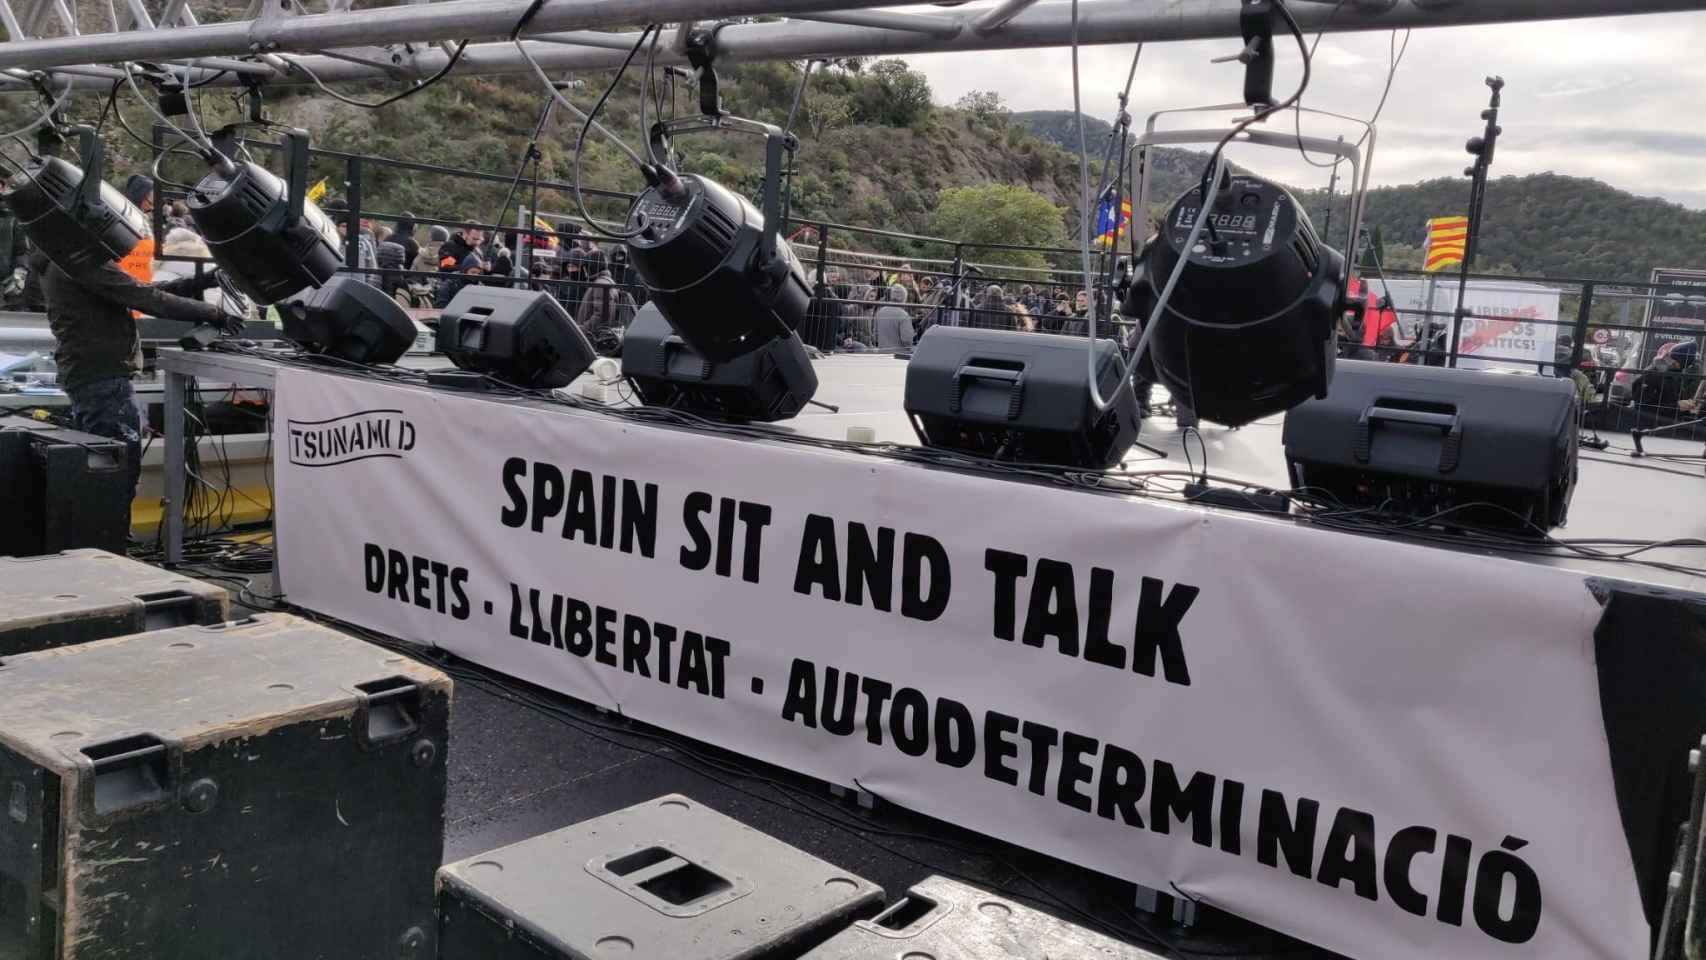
(1019, 396)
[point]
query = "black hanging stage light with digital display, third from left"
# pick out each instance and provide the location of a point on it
(714, 263)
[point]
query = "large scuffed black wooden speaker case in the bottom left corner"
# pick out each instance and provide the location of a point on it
(284, 780)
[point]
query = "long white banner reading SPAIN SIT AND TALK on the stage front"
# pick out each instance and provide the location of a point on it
(1384, 749)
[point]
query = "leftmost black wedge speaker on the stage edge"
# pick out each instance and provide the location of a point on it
(349, 320)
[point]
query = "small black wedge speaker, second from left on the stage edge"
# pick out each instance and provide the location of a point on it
(518, 337)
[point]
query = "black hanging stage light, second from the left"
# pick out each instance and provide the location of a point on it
(264, 233)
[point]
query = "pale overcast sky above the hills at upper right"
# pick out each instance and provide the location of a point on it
(1616, 100)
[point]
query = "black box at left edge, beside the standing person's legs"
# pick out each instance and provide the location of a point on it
(62, 490)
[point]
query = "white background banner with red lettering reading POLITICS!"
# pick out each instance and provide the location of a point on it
(1512, 321)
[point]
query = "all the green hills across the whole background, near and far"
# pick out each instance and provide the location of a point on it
(878, 153)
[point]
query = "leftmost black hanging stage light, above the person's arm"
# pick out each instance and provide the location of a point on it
(71, 214)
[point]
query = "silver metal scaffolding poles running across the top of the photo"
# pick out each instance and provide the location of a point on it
(1045, 25)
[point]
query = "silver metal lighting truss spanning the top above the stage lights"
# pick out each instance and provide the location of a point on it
(410, 42)
